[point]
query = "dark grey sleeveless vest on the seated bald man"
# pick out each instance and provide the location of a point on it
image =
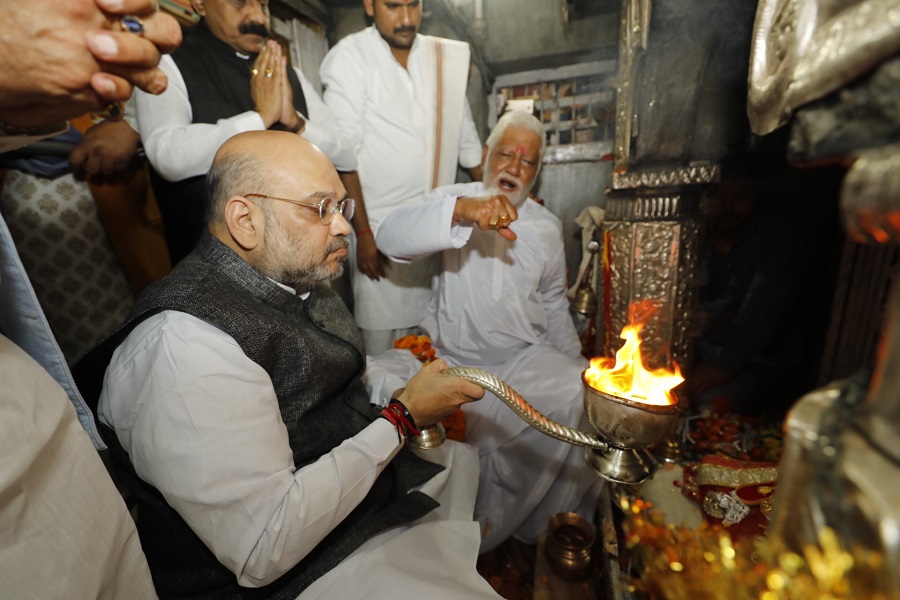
(312, 350)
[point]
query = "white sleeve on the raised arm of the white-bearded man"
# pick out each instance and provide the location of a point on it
(417, 230)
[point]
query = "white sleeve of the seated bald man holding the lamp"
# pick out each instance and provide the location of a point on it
(201, 423)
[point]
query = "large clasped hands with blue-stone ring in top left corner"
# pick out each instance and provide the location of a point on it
(64, 59)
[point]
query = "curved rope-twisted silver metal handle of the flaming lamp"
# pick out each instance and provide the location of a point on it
(518, 404)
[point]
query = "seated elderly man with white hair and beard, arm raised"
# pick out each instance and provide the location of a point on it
(499, 304)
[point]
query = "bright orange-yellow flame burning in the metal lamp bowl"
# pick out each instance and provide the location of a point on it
(626, 377)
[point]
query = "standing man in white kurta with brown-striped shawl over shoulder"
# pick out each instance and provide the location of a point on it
(400, 97)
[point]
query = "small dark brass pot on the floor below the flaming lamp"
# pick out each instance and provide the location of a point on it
(570, 538)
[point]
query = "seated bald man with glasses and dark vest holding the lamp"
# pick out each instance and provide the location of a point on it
(233, 406)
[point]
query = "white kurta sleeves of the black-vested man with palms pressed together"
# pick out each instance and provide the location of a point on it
(178, 148)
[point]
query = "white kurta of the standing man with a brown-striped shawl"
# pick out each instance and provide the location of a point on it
(387, 112)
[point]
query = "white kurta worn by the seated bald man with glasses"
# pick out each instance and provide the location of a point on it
(201, 423)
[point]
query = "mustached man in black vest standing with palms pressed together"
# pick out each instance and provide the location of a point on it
(227, 77)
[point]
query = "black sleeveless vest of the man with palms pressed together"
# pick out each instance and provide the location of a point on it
(218, 85)
